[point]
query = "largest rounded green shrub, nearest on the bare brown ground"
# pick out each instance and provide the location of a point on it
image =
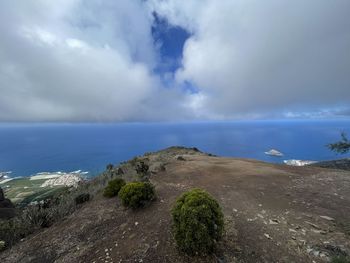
(197, 222)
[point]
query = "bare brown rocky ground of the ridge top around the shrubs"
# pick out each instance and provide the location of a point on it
(273, 213)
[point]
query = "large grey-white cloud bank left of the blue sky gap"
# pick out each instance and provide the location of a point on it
(79, 61)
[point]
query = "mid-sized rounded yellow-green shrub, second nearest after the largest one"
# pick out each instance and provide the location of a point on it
(136, 194)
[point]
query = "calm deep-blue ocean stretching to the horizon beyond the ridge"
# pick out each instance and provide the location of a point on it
(29, 149)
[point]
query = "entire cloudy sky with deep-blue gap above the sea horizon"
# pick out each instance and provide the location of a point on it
(173, 60)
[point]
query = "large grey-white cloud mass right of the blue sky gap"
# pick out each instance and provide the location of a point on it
(262, 57)
